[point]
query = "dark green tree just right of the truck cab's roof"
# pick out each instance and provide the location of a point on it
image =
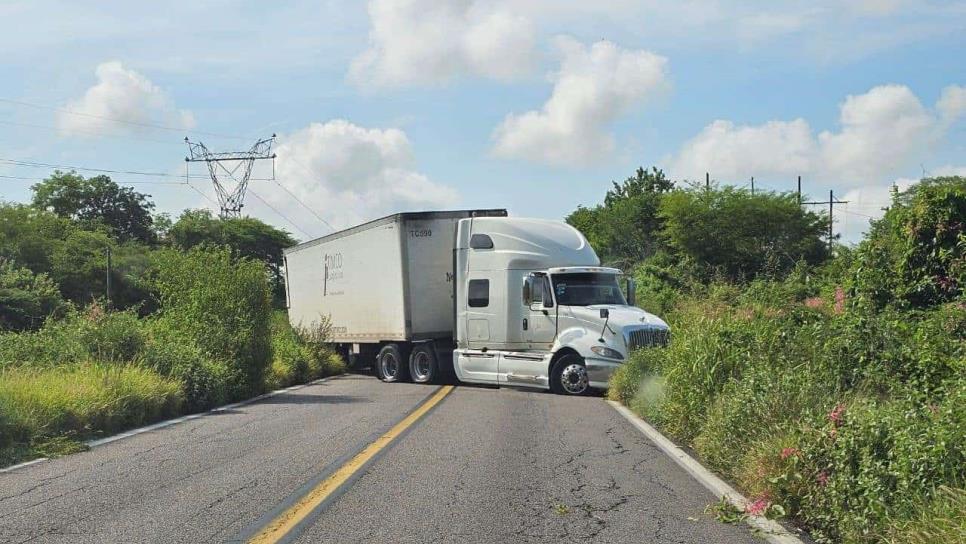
(625, 229)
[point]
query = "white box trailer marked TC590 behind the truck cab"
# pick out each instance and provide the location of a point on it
(388, 280)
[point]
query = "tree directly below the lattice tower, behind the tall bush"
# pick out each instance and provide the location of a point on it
(247, 236)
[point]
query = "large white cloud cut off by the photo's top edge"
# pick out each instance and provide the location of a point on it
(425, 42)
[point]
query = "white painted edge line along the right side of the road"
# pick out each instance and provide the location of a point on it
(770, 530)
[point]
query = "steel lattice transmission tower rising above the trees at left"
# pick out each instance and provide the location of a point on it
(239, 169)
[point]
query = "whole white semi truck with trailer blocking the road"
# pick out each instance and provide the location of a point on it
(490, 298)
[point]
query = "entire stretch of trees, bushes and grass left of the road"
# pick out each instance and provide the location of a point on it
(192, 321)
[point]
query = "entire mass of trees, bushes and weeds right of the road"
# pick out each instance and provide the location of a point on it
(828, 385)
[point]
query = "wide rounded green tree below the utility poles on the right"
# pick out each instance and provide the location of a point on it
(730, 232)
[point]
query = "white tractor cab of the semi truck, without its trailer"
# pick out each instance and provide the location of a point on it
(535, 308)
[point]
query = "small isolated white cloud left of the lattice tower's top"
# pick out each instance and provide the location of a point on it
(123, 95)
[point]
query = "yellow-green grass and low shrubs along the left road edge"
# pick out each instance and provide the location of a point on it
(94, 373)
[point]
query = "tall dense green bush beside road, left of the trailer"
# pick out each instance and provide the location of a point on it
(223, 305)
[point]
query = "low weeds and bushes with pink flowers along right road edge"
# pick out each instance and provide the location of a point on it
(751, 387)
